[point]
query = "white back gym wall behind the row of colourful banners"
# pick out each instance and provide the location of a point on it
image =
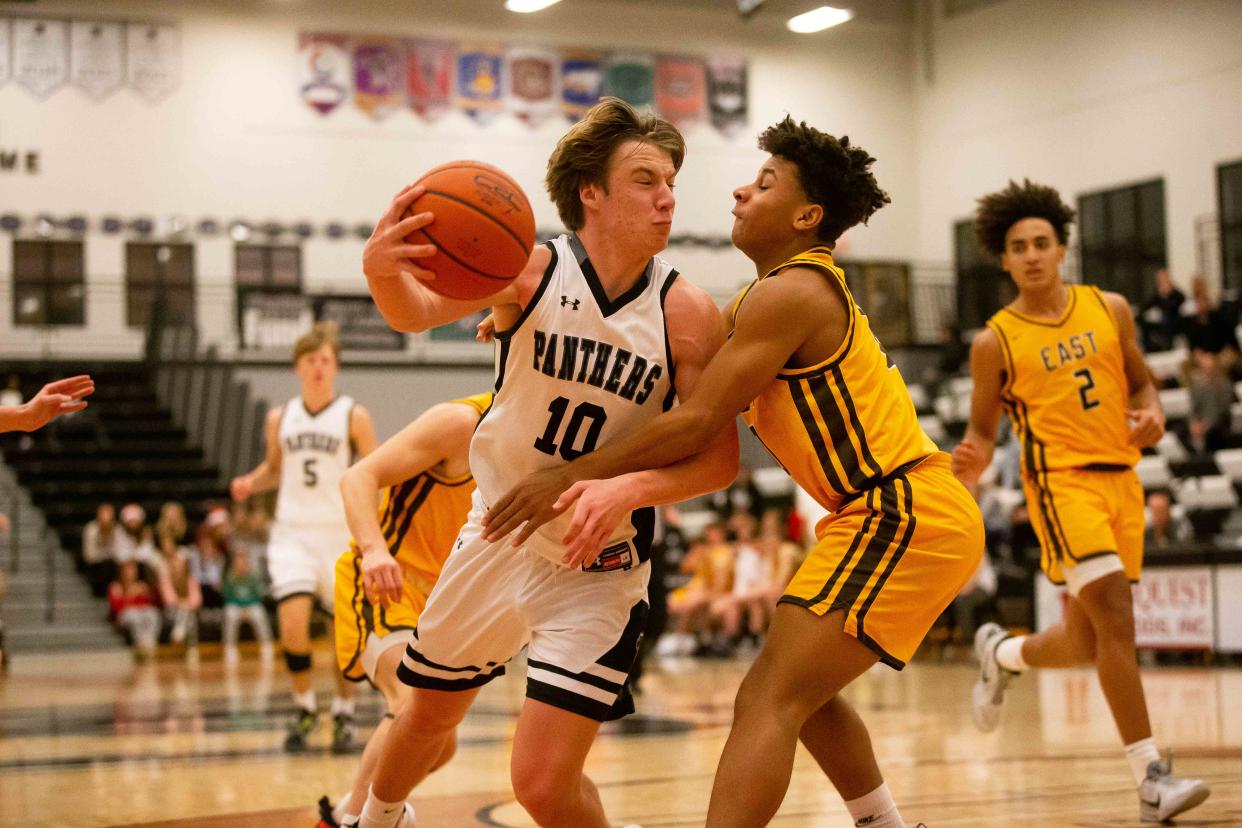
(235, 141)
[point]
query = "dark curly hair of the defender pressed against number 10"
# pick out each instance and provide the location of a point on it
(834, 174)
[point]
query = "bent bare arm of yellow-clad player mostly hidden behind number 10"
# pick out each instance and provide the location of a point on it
(440, 434)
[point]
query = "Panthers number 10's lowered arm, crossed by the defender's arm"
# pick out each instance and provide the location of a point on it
(697, 332)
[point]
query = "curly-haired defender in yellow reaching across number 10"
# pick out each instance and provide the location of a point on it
(819, 390)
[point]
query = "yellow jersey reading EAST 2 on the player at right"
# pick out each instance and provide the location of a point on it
(1065, 385)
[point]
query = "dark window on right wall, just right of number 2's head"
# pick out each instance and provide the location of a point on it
(1122, 238)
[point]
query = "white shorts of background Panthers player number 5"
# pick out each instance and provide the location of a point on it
(302, 560)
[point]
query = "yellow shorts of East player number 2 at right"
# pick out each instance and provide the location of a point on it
(1081, 516)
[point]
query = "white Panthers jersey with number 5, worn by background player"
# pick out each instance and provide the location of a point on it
(315, 452)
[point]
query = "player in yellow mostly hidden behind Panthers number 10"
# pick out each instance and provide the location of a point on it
(425, 475)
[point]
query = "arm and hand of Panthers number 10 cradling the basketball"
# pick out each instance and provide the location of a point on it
(398, 284)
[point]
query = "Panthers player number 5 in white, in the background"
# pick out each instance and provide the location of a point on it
(311, 443)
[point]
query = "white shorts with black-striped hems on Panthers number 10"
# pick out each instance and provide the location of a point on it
(583, 629)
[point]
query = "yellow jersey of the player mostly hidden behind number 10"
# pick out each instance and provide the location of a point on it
(422, 517)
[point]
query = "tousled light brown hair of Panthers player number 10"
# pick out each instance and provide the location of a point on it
(582, 156)
